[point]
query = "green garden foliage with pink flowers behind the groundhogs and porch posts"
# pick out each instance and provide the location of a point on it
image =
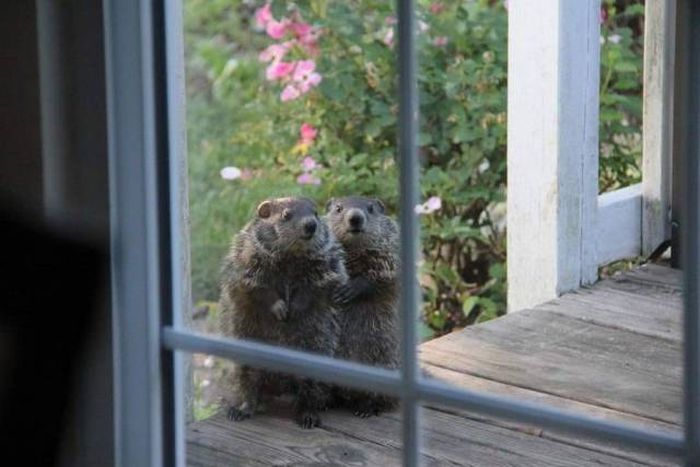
(320, 121)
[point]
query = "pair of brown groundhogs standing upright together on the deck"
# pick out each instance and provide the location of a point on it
(327, 285)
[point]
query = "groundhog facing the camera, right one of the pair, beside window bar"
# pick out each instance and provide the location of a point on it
(368, 302)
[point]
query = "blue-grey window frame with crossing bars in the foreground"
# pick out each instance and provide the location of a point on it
(146, 127)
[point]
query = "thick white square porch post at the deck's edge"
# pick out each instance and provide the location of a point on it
(553, 81)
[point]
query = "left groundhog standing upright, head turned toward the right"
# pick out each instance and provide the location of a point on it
(277, 285)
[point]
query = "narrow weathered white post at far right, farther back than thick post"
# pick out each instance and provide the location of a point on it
(659, 53)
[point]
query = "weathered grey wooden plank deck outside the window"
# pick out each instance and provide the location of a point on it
(612, 350)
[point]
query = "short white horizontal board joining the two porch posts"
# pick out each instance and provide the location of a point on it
(619, 234)
